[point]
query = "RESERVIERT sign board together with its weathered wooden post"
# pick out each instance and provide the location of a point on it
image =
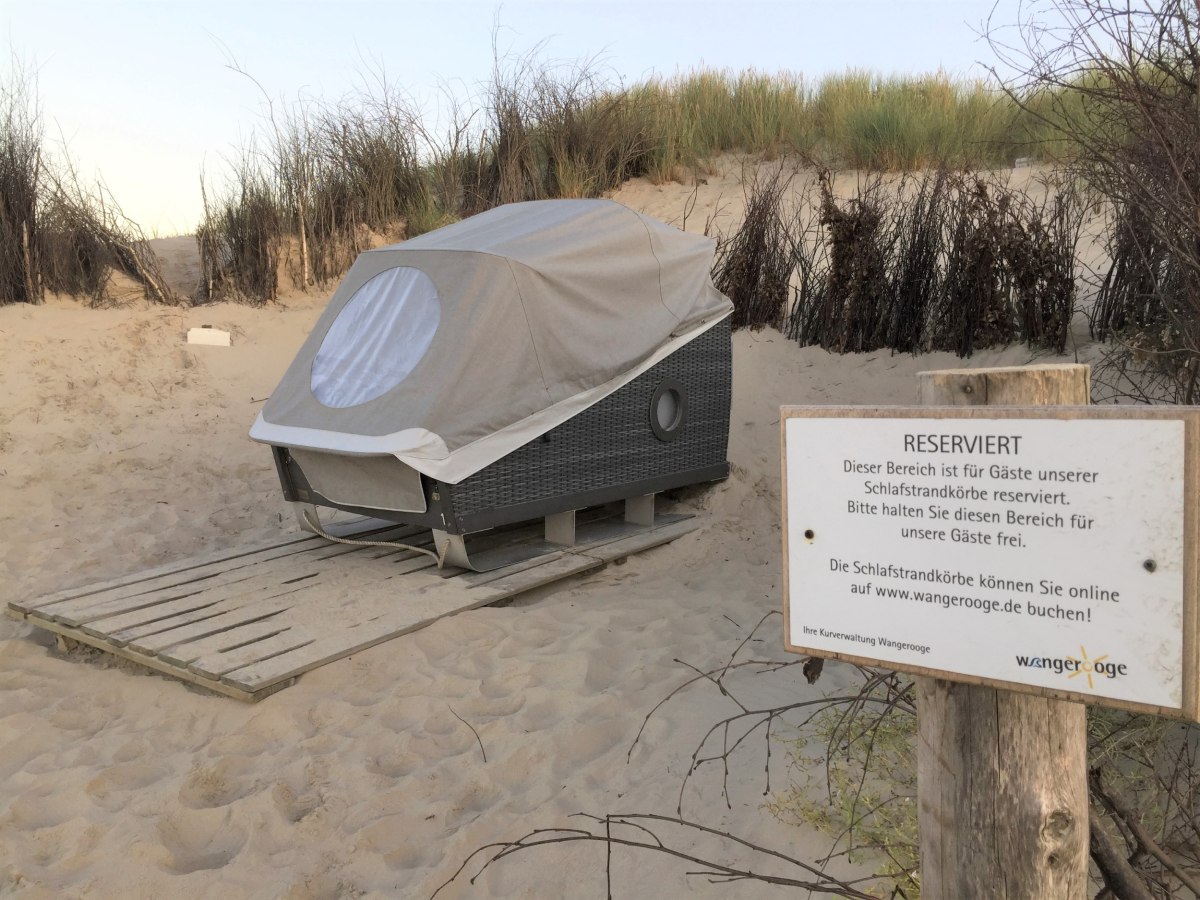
(1019, 559)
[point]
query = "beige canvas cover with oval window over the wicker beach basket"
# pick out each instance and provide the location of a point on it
(452, 350)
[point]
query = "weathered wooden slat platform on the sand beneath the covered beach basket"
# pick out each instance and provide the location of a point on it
(249, 623)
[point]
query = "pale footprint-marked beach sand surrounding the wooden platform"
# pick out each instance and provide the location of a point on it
(122, 448)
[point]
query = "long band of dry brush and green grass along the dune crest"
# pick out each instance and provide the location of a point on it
(563, 130)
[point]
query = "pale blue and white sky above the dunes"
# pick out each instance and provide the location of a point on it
(142, 94)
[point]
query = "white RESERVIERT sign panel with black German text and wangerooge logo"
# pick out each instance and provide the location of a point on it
(1041, 553)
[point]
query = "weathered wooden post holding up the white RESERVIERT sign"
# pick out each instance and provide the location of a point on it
(1003, 777)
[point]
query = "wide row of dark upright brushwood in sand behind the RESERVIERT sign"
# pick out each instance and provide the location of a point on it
(939, 261)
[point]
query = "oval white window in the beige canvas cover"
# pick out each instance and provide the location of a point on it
(377, 339)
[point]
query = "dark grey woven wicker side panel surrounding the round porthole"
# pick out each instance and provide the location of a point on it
(613, 443)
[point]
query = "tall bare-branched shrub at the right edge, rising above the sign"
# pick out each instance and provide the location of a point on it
(1120, 83)
